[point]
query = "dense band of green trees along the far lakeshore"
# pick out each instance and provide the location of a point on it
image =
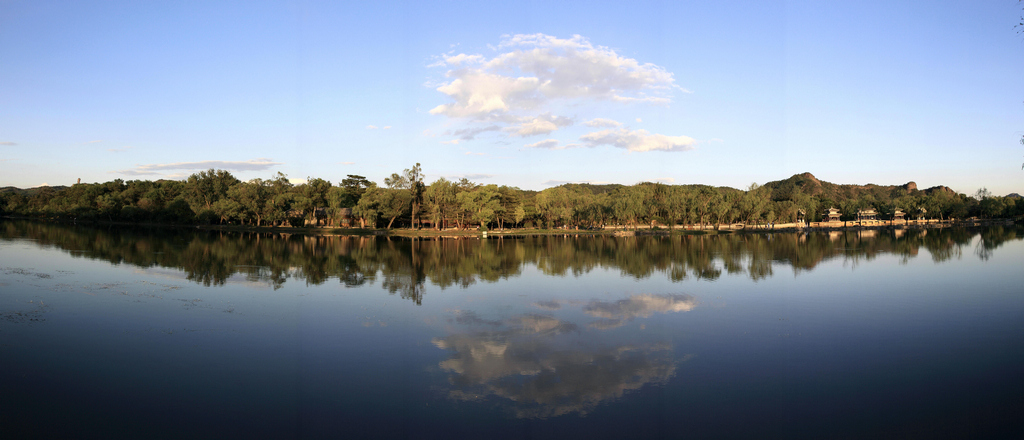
(216, 197)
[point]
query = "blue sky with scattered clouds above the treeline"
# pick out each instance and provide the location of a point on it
(530, 95)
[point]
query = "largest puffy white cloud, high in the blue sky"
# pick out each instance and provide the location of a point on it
(532, 74)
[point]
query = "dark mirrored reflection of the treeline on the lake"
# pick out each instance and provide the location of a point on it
(406, 267)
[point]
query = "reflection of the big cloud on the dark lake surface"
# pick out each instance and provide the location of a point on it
(540, 366)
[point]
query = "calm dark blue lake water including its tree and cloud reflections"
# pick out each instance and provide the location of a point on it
(157, 334)
